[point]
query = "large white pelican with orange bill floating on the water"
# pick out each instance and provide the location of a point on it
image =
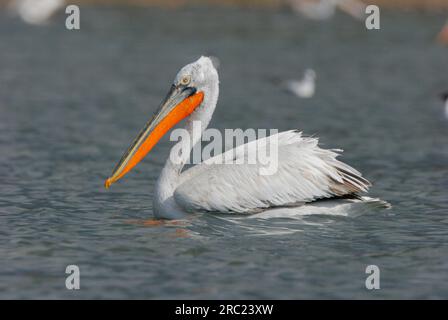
(305, 173)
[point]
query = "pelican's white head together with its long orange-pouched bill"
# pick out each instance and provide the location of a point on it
(184, 99)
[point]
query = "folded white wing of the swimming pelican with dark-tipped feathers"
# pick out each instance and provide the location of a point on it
(304, 174)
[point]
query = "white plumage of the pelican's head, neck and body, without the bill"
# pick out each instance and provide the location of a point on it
(305, 171)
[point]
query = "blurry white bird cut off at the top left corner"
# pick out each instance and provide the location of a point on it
(36, 12)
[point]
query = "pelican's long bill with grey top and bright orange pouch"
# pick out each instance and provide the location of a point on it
(178, 105)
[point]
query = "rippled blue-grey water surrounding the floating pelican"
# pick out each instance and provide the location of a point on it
(71, 102)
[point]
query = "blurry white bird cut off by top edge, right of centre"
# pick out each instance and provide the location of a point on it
(325, 9)
